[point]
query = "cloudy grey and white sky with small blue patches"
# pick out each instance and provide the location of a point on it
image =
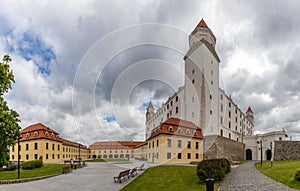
(88, 69)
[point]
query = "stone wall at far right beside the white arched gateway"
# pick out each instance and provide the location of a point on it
(287, 150)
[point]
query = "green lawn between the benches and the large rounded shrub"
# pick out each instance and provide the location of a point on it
(167, 178)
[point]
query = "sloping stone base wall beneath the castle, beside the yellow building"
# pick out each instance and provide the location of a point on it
(220, 147)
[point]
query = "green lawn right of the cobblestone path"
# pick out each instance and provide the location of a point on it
(282, 171)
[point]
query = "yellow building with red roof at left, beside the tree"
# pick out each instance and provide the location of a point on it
(40, 141)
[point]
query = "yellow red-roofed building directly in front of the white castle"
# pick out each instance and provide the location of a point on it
(175, 141)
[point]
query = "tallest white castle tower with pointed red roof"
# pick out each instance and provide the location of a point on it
(202, 80)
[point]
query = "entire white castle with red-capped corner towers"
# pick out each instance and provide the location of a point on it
(201, 100)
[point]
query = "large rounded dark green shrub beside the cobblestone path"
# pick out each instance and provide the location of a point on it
(214, 168)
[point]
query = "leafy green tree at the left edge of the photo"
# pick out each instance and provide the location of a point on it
(9, 127)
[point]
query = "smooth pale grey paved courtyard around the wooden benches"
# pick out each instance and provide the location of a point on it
(95, 177)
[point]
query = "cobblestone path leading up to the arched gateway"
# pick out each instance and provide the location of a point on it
(247, 178)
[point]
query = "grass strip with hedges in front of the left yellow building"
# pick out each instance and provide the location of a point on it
(46, 169)
